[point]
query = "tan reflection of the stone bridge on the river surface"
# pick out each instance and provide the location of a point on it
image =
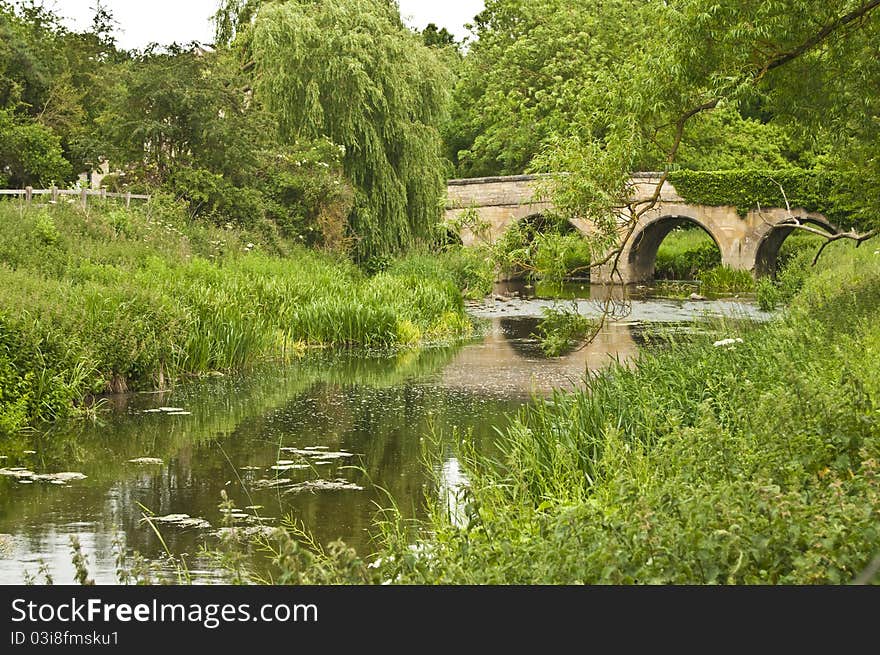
(508, 363)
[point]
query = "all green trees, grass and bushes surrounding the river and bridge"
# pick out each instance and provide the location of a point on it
(297, 173)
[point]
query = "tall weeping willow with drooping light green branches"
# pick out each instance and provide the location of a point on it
(350, 71)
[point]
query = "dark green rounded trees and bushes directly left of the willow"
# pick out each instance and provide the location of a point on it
(182, 120)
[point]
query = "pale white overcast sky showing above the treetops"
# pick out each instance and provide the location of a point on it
(164, 21)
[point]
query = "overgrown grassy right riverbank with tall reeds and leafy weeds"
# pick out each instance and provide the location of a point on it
(748, 459)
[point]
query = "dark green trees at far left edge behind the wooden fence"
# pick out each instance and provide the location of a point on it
(51, 92)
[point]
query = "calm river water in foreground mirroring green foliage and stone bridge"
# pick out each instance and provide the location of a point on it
(377, 408)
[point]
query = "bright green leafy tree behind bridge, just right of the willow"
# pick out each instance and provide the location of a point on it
(526, 75)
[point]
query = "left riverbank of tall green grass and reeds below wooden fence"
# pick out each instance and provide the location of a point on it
(108, 300)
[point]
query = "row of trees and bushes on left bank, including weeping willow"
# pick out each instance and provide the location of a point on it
(334, 141)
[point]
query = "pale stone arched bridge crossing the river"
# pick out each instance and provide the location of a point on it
(749, 243)
